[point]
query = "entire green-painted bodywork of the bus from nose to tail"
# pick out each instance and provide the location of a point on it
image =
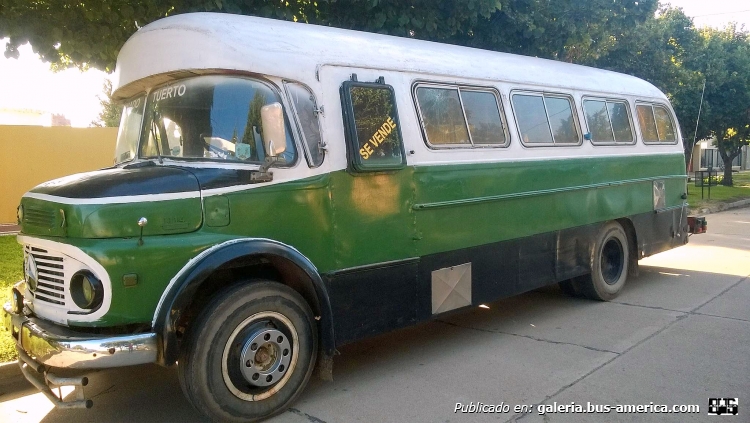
(340, 220)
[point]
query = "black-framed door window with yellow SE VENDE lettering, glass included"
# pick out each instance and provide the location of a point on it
(372, 128)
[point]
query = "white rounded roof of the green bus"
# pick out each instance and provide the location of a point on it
(218, 41)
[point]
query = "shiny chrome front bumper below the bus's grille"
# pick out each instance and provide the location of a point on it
(56, 346)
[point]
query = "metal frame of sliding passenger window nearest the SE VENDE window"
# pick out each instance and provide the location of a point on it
(458, 87)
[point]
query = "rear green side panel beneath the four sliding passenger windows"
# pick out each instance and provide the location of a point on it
(468, 205)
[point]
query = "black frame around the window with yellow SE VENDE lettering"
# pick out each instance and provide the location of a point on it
(350, 128)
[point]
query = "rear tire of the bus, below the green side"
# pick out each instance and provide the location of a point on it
(609, 265)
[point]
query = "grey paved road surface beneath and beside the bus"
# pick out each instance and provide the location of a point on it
(677, 335)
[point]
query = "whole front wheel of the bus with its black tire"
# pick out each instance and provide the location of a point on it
(249, 353)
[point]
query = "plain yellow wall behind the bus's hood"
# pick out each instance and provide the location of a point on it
(30, 155)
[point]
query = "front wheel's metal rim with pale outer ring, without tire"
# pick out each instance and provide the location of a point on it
(260, 356)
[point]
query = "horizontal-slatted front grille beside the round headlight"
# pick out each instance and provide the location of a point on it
(51, 275)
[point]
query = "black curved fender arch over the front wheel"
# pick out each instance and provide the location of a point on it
(223, 265)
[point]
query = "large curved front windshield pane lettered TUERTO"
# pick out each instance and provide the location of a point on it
(209, 117)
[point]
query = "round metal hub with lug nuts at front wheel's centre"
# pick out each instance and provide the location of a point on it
(265, 357)
